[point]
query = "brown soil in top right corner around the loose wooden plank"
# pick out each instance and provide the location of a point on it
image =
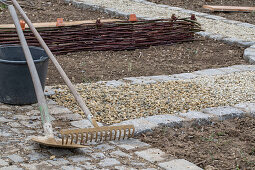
(196, 5)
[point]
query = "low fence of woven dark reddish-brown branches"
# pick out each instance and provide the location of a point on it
(124, 35)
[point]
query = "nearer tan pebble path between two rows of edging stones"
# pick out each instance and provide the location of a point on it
(113, 104)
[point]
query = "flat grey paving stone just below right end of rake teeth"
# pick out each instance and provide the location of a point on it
(130, 144)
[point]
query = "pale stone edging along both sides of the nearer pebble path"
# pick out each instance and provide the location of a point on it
(204, 116)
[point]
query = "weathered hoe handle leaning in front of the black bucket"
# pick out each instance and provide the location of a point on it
(35, 78)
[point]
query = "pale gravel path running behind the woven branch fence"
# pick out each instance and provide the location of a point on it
(210, 23)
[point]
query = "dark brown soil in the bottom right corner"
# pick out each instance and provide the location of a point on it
(222, 145)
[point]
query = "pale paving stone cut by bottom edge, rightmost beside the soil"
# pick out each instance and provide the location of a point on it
(179, 164)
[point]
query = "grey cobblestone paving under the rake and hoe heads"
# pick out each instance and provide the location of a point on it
(19, 123)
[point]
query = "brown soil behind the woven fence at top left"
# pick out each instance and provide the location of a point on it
(50, 10)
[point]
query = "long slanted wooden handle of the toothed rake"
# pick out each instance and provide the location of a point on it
(55, 62)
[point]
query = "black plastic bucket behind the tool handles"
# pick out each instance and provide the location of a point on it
(16, 86)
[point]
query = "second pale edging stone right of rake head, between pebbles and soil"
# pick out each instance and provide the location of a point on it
(165, 120)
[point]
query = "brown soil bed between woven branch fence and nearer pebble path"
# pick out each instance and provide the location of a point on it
(92, 66)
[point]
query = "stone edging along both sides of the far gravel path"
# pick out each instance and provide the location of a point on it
(249, 53)
